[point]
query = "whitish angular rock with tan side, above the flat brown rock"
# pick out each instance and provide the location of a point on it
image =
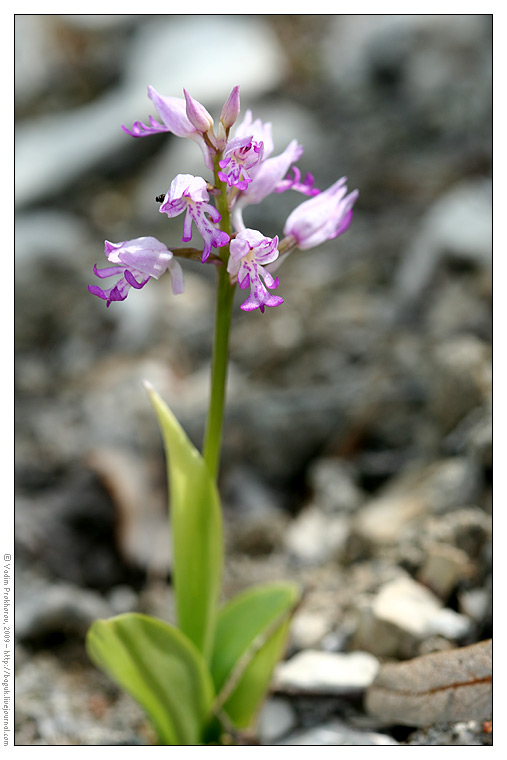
(400, 616)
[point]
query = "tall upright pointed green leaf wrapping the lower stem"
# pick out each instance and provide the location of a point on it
(196, 522)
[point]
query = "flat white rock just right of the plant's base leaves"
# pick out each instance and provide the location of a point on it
(316, 672)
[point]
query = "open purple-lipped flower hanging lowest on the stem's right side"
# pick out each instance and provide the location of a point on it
(250, 251)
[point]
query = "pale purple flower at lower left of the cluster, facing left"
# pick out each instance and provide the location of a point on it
(136, 260)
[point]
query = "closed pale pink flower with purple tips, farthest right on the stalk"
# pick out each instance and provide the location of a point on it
(323, 217)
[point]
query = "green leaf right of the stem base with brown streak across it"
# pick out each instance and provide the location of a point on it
(250, 638)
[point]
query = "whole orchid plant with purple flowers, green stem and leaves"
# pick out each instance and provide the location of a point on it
(204, 678)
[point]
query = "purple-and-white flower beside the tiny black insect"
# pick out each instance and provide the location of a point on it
(189, 193)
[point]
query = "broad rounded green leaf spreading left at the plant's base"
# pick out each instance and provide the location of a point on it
(160, 668)
